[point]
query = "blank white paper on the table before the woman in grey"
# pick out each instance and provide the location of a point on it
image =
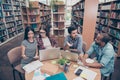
(32, 66)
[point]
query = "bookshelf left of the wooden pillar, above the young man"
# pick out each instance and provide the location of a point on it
(77, 15)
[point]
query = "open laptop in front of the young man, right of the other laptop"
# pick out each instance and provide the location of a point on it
(69, 55)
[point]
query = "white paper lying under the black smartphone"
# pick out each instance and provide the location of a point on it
(86, 73)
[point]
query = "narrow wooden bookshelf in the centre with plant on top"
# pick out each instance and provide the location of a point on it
(59, 22)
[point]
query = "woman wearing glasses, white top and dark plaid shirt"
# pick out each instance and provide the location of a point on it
(44, 40)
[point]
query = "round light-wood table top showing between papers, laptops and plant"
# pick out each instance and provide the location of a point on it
(70, 75)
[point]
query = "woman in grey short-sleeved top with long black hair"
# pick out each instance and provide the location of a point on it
(29, 47)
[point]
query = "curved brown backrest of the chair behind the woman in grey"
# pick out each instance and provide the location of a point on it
(14, 55)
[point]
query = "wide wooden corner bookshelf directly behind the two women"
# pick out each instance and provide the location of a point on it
(37, 15)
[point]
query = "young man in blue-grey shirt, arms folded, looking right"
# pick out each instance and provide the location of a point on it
(73, 42)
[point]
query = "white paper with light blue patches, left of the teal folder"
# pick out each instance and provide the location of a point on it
(39, 76)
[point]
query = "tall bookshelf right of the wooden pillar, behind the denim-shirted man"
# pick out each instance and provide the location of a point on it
(108, 21)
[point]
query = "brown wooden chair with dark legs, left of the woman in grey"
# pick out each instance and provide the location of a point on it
(14, 56)
